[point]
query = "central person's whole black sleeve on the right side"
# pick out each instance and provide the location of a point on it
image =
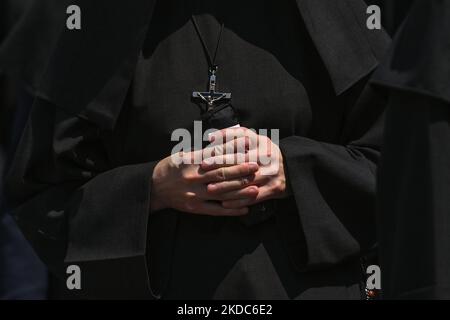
(334, 185)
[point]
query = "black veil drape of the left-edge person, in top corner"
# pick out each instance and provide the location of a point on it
(31, 29)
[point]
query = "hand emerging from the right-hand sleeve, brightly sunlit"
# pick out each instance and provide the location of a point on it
(237, 145)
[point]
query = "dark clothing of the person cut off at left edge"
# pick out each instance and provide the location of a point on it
(23, 55)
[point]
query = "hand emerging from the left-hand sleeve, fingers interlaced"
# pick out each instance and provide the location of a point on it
(184, 187)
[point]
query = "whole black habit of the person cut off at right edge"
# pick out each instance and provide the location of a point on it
(414, 179)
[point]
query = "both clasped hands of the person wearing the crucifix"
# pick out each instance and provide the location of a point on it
(221, 186)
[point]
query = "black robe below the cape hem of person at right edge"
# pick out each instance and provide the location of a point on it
(414, 181)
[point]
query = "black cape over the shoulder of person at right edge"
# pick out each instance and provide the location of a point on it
(419, 58)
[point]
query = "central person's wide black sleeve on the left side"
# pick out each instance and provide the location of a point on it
(75, 207)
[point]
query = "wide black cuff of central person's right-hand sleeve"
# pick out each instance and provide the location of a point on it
(334, 191)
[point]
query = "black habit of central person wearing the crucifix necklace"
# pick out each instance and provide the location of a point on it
(102, 119)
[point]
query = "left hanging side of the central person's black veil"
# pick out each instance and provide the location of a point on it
(90, 69)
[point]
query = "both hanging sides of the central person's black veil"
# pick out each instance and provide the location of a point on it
(88, 66)
